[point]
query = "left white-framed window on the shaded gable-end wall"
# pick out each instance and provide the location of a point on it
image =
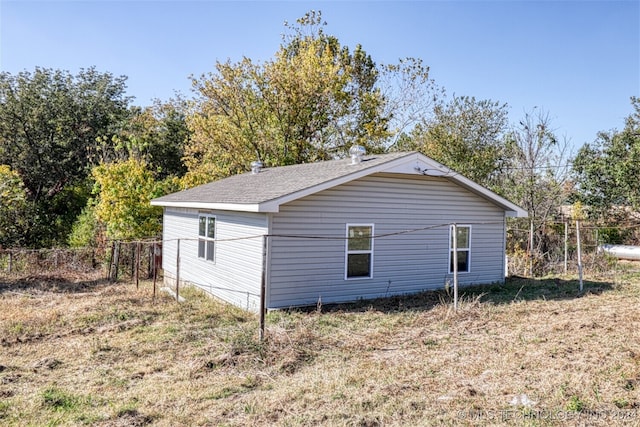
(359, 251)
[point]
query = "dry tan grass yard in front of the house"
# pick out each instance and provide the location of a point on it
(528, 352)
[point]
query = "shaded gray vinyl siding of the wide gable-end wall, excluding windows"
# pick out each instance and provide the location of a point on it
(305, 270)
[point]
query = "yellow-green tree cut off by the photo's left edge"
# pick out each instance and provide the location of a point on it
(13, 207)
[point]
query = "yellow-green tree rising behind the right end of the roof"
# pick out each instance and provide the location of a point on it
(465, 134)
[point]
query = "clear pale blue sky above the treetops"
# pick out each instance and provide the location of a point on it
(577, 61)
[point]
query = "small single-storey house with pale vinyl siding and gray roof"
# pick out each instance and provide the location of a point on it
(334, 231)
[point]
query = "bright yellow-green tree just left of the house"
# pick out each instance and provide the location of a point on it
(124, 190)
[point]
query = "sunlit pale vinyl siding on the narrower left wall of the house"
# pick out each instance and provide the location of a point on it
(235, 274)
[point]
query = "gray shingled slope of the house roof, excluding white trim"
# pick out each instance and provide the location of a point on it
(273, 183)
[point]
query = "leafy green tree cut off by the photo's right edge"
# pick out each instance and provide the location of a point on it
(607, 171)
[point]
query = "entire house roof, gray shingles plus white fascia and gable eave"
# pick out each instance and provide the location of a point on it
(267, 190)
